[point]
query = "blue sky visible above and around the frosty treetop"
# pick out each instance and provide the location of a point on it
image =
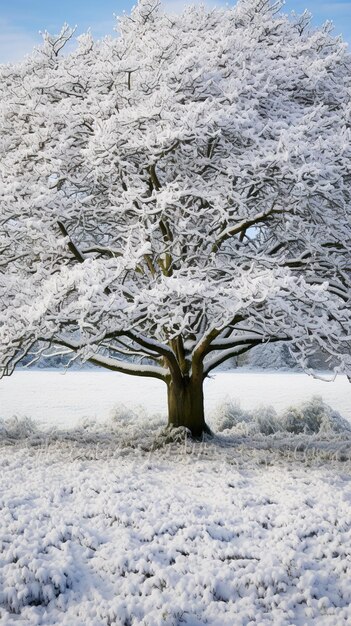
(21, 20)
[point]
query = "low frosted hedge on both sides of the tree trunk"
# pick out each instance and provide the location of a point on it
(134, 429)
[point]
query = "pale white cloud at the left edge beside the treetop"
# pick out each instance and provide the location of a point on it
(15, 43)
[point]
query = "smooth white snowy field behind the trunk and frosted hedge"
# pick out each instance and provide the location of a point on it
(65, 398)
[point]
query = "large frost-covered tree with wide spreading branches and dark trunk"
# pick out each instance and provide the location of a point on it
(178, 194)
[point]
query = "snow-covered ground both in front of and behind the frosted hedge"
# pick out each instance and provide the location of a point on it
(105, 523)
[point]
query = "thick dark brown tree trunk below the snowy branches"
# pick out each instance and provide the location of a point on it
(186, 405)
